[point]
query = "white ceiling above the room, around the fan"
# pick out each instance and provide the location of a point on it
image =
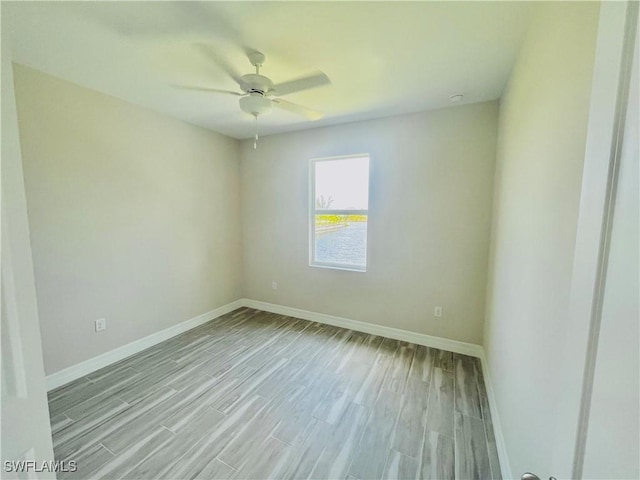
(383, 58)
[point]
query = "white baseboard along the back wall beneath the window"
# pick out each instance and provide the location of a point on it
(390, 332)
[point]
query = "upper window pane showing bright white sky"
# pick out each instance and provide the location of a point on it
(342, 184)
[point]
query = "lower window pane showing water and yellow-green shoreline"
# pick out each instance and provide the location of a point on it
(341, 239)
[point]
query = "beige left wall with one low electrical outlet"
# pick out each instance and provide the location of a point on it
(134, 217)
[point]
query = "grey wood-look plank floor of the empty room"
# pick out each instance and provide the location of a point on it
(259, 395)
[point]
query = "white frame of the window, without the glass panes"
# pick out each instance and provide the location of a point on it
(313, 212)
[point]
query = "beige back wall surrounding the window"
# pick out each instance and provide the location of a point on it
(429, 218)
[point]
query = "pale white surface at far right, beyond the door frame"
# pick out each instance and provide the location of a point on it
(613, 437)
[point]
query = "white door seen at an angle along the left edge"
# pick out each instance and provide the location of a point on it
(26, 431)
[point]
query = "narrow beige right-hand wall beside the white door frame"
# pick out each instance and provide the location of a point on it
(541, 147)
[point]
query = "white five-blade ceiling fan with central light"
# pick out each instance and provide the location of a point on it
(259, 94)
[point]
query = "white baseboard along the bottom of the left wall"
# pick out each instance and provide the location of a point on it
(74, 372)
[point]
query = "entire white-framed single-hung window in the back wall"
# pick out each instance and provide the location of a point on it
(339, 212)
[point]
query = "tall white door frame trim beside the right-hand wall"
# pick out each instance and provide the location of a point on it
(610, 85)
